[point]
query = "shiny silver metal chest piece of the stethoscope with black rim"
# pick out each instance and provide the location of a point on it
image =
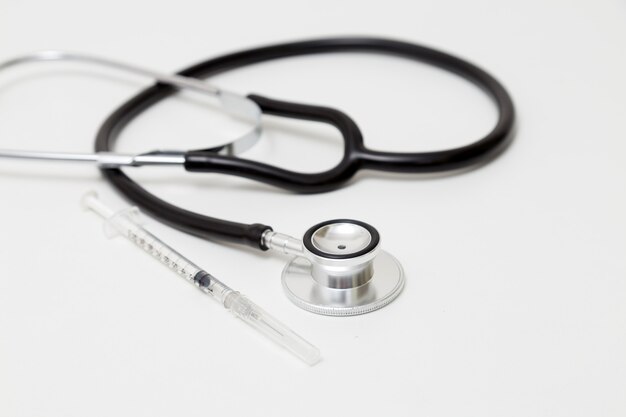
(342, 271)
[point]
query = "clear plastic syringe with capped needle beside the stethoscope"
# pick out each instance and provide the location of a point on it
(126, 223)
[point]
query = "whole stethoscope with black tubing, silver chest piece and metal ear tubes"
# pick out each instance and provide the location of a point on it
(337, 268)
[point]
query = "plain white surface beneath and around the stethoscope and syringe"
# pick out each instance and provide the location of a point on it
(515, 301)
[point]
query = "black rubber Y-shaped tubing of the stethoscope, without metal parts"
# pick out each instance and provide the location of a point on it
(251, 234)
